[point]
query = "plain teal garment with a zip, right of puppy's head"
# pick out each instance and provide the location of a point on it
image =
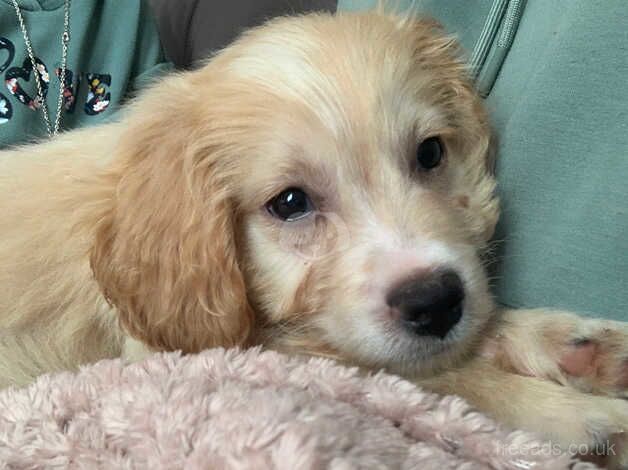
(559, 102)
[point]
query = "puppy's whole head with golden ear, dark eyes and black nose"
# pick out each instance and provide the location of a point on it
(323, 185)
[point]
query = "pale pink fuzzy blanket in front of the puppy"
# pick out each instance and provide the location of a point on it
(250, 410)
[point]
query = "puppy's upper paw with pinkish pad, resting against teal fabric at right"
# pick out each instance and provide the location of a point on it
(588, 354)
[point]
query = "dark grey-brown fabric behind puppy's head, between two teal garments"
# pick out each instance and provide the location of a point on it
(193, 29)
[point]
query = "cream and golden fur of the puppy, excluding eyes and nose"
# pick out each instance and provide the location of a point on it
(152, 233)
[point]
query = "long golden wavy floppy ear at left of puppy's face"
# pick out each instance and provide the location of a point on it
(164, 251)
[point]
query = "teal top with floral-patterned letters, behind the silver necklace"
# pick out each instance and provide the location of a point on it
(114, 49)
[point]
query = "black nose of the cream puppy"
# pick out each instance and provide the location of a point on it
(430, 304)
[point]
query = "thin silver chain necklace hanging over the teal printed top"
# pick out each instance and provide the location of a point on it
(65, 39)
